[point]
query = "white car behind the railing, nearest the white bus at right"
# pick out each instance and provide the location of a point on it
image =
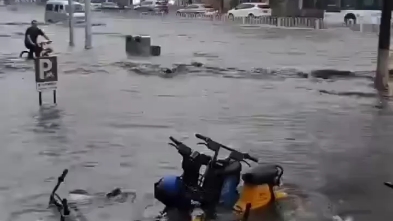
(250, 9)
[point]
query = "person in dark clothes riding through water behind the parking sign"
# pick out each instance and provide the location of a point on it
(31, 36)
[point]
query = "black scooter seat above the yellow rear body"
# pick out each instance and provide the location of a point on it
(261, 175)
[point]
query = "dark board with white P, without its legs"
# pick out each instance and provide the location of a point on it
(46, 69)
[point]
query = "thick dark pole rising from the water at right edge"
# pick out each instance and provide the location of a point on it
(382, 76)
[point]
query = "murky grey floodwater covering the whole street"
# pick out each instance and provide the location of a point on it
(249, 87)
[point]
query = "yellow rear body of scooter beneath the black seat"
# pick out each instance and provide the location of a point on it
(258, 196)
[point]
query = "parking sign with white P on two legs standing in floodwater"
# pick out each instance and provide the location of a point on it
(46, 76)
